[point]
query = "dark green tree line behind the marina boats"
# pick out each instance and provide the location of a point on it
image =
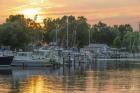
(21, 33)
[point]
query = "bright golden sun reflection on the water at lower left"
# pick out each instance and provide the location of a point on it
(39, 84)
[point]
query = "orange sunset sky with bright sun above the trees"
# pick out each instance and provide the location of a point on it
(109, 11)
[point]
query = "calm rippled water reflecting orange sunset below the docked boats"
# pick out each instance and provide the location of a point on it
(98, 77)
